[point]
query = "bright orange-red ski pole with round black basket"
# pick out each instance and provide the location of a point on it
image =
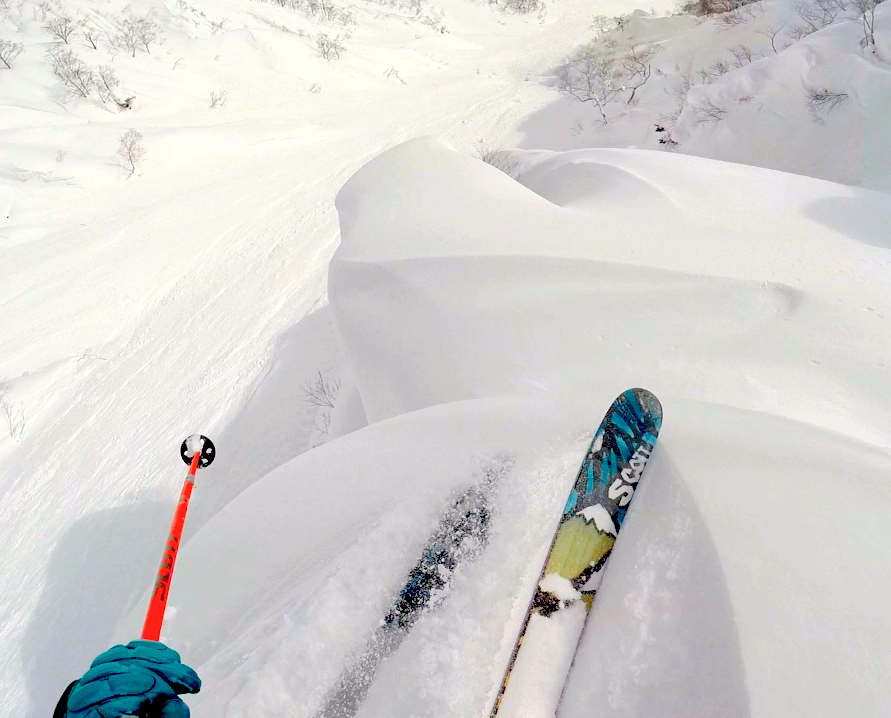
(195, 451)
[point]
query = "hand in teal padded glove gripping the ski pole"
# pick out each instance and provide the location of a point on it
(142, 679)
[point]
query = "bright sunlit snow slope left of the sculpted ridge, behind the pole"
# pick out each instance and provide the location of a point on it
(135, 311)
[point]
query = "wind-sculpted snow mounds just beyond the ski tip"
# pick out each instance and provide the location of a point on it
(480, 288)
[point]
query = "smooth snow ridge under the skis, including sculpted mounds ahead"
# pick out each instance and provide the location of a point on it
(479, 319)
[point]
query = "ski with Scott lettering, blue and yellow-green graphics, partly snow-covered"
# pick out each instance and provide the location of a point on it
(594, 512)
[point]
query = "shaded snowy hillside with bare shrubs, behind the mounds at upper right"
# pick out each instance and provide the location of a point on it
(766, 120)
